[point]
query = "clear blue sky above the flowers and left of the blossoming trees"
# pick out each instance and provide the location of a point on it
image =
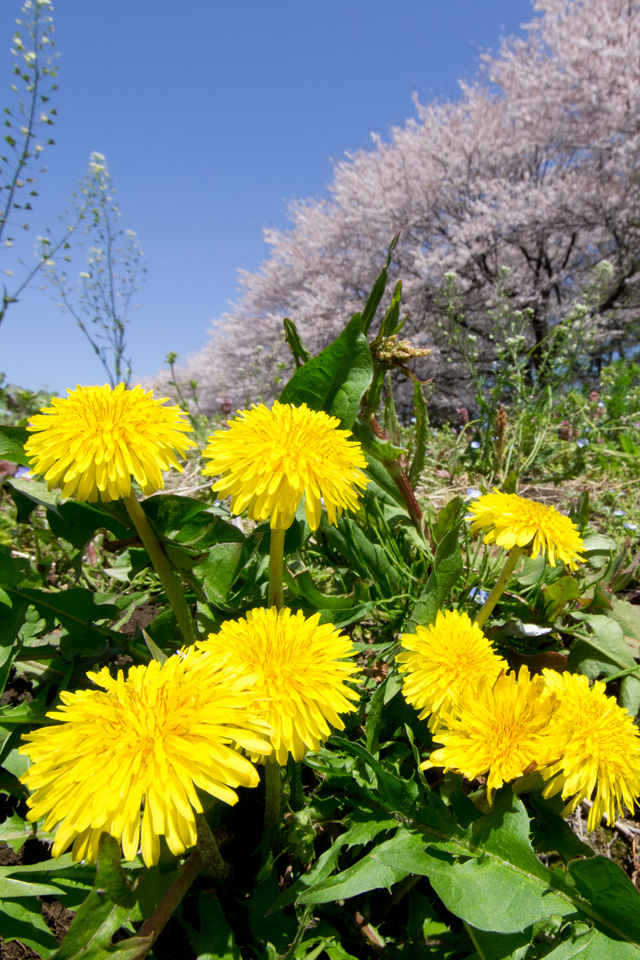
(211, 115)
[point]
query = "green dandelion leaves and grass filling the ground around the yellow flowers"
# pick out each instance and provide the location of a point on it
(372, 854)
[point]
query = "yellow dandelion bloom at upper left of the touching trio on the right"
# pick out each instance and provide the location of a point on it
(442, 661)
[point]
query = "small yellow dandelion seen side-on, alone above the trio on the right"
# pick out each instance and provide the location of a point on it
(514, 521)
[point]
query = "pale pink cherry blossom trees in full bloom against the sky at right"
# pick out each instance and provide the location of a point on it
(514, 204)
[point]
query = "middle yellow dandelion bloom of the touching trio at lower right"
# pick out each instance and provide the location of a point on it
(498, 730)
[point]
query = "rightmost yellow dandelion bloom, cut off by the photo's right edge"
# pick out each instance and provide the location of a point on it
(596, 746)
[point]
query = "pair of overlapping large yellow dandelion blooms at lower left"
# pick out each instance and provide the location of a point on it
(270, 685)
